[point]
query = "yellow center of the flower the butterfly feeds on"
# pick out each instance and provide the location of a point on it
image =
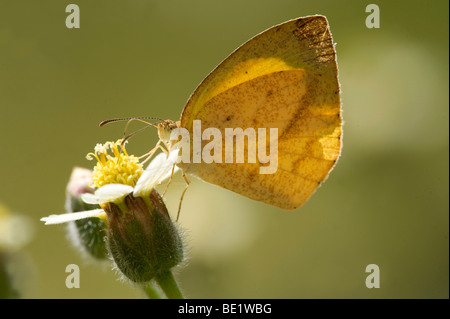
(118, 168)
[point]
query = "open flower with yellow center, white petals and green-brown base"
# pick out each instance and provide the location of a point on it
(141, 237)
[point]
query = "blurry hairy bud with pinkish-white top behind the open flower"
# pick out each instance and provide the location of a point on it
(87, 234)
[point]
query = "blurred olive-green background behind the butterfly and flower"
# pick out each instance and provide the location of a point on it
(385, 203)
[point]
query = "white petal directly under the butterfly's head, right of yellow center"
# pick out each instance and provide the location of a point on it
(158, 170)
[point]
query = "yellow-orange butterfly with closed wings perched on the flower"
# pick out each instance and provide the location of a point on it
(286, 78)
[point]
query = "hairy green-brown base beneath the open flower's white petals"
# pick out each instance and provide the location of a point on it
(142, 238)
